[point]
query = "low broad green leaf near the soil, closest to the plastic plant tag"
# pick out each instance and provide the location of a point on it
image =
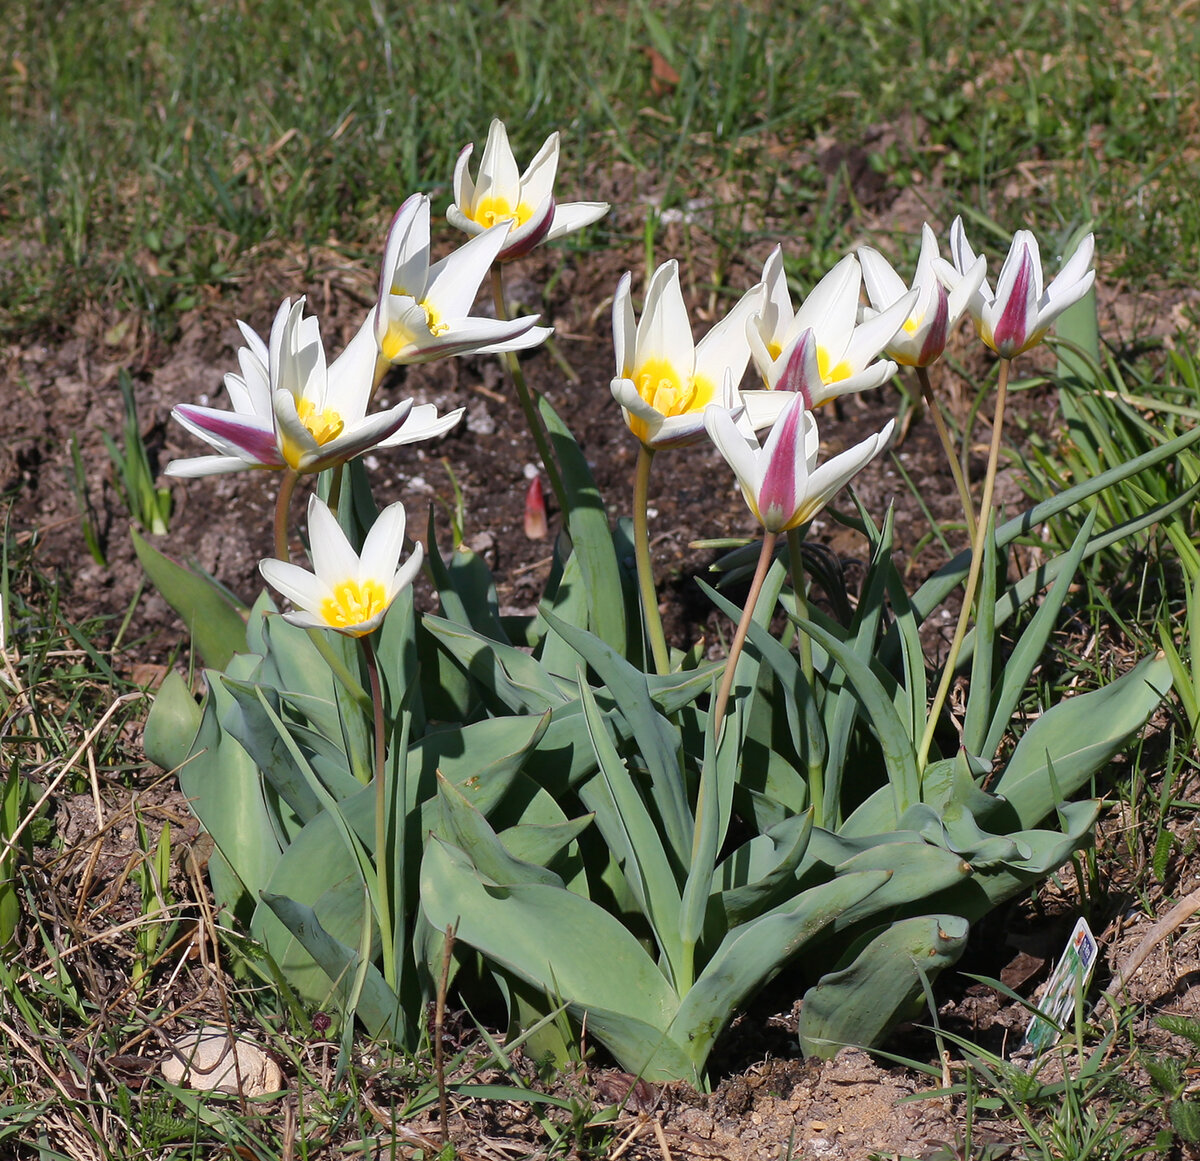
(863, 1003)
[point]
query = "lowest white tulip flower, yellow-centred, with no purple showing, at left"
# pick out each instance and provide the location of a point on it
(346, 592)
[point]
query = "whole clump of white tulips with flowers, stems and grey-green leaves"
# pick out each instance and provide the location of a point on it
(597, 828)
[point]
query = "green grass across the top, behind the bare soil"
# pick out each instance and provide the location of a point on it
(154, 149)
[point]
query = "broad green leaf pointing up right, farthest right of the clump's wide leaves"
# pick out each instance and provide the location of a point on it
(1079, 736)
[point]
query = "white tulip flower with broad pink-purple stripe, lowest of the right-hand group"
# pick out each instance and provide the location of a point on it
(781, 479)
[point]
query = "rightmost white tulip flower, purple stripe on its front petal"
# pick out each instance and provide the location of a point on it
(1018, 316)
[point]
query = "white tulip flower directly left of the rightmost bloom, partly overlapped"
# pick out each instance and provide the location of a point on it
(922, 340)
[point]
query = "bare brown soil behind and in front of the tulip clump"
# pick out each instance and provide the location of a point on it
(769, 1103)
